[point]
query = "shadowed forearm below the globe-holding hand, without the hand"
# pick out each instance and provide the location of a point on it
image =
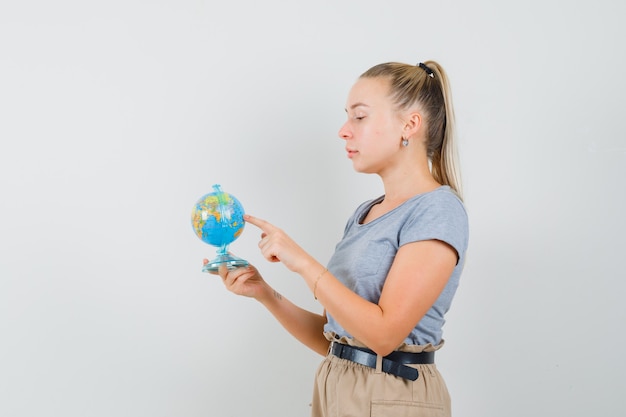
(305, 326)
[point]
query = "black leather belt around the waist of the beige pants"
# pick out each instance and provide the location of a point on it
(394, 363)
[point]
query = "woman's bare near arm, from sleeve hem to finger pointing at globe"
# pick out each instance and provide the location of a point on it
(417, 276)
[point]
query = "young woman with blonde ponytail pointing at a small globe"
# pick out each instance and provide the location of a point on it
(393, 275)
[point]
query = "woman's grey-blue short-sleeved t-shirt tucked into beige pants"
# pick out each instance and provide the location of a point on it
(364, 256)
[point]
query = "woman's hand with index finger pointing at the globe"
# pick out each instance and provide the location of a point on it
(276, 246)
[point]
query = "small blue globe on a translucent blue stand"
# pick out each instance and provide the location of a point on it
(217, 219)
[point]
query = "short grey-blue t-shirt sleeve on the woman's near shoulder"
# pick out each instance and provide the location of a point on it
(442, 218)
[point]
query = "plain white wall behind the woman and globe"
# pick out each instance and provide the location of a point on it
(116, 116)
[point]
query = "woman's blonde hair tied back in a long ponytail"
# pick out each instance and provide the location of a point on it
(427, 86)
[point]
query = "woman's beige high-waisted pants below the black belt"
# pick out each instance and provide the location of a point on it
(346, 389)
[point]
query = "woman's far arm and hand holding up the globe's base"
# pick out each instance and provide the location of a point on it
(305, 326)
